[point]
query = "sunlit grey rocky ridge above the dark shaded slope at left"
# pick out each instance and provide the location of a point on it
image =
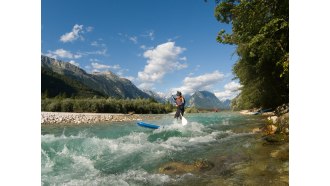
(105, 83)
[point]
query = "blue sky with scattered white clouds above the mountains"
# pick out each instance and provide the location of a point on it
(163, 46)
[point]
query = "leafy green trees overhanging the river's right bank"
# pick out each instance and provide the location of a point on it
(260, 30)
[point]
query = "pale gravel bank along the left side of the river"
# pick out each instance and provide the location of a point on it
(53, 118)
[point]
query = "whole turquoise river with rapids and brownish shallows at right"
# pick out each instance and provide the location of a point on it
(125, 154)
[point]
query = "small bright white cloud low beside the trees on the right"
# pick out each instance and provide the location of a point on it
(230, 92)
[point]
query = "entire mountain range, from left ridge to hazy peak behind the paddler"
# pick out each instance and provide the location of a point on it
(63, 78)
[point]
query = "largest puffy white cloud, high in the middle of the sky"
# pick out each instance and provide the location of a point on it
(161, 60)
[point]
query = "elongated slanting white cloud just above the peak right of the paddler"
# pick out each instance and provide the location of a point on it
(202, 82)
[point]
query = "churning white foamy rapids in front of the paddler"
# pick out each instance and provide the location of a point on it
(83, 169)
